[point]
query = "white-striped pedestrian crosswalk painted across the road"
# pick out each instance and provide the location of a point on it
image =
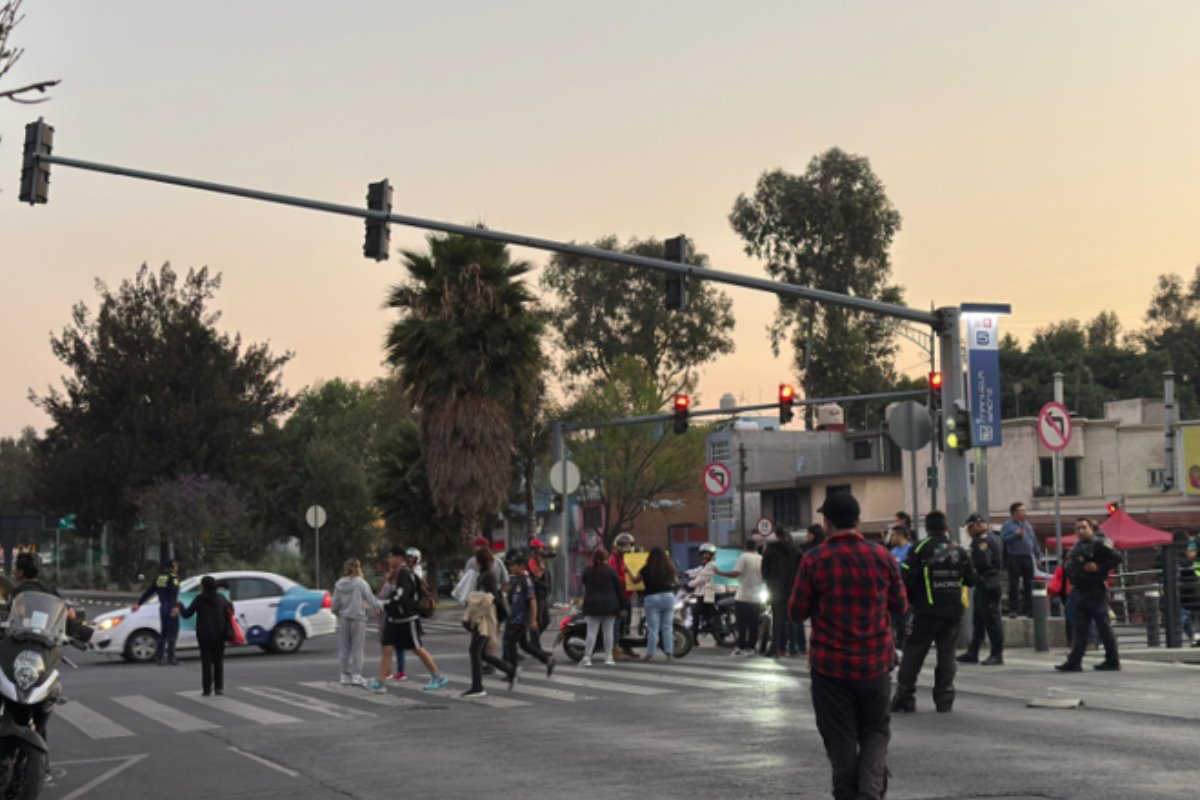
(309, 702)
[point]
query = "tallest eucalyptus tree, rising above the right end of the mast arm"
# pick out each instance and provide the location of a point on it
(831, 230)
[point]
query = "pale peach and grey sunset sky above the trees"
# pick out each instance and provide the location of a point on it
(1043, 155)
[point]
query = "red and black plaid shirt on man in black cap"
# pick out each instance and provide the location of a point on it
(850, 587)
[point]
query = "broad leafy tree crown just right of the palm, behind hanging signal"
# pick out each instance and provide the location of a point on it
(607, 312)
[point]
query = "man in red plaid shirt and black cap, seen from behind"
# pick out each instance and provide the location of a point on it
(850, 588)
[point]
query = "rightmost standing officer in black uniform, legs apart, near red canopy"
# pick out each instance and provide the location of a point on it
(1088, 569)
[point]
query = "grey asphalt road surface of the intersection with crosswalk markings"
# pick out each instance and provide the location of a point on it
(706, 727)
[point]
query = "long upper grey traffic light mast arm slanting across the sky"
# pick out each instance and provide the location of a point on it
(733, 279)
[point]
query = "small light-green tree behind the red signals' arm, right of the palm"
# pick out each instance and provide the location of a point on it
(632, 466)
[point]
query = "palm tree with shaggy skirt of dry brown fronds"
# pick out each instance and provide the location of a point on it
(469, 351)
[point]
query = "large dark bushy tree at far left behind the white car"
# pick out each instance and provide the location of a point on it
(154, 393)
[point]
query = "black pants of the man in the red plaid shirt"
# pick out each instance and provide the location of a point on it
(855, 724)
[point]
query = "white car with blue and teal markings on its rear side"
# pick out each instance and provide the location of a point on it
(275, 613)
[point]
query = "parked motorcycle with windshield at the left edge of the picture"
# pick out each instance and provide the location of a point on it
(31, 655)
